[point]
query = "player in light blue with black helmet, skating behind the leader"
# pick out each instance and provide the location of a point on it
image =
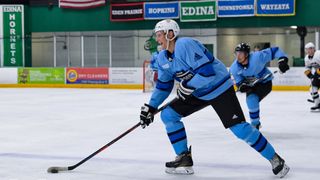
(253, 77)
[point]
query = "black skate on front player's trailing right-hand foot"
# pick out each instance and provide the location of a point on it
(279, 167)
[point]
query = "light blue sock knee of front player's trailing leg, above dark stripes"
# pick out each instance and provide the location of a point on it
(245, 132)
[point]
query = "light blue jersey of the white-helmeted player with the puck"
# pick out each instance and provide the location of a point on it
(191, 62)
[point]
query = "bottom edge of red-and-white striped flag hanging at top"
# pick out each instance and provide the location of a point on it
(81, 4)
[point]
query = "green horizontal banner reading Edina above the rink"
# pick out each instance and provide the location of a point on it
(198, 11)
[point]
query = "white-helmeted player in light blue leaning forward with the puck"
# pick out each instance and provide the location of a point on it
(204, 81)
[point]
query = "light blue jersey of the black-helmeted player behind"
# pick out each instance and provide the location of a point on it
(256, 67)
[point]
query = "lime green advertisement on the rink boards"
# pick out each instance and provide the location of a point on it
(41, 76)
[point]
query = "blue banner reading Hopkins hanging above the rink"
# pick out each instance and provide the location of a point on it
(161, 10)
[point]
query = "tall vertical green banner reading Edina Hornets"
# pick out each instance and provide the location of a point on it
(12, 35)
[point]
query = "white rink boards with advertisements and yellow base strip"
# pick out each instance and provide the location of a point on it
(116, 78)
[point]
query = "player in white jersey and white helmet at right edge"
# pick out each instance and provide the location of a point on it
(312, 64)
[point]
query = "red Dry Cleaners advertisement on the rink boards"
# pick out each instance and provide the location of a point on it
(87, 76)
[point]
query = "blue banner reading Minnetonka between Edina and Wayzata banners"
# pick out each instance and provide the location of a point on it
(227, 8)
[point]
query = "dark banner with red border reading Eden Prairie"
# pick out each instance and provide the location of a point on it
(126, 12)
